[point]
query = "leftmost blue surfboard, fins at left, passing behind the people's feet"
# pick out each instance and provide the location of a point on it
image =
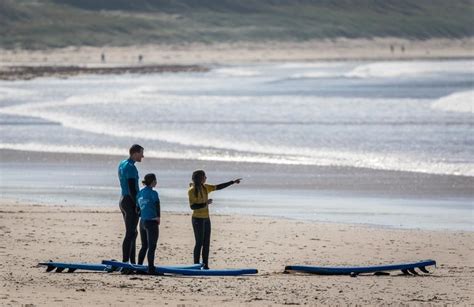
(71, 266)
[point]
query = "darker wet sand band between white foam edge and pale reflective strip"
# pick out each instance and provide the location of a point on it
(175, 173)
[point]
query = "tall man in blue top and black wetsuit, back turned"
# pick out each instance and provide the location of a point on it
(128, 177)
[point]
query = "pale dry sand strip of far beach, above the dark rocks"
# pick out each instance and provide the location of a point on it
(226, 53)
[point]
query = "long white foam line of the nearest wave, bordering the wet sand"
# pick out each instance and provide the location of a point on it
(320, 158)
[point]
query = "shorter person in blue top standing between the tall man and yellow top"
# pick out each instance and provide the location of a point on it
(149, 204)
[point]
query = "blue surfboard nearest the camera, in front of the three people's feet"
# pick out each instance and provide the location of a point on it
(182, 271)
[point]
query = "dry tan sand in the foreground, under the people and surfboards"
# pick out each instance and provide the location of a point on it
(32, 233)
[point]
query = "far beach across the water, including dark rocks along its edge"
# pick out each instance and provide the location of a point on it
(63, 62)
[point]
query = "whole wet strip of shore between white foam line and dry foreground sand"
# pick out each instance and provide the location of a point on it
(378, 199)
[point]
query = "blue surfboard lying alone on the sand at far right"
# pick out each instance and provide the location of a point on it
(406, 268)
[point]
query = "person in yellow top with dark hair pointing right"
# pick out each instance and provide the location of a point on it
(199, 201)
